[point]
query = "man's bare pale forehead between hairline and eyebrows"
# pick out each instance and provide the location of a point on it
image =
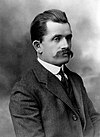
(54, 28)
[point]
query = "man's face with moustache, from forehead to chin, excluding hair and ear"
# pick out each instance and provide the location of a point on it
(55, 43)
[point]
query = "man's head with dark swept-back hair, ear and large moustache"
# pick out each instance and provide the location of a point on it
(51, 37)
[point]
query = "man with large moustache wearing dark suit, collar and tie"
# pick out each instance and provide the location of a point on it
(50, 100)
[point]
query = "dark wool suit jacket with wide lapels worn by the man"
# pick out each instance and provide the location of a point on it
(40, 107)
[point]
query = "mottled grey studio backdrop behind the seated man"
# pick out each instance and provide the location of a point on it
(17, 54)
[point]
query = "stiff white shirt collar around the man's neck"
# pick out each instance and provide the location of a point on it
(50, 67)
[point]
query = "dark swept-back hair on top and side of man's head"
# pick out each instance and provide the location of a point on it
(38, 26)
